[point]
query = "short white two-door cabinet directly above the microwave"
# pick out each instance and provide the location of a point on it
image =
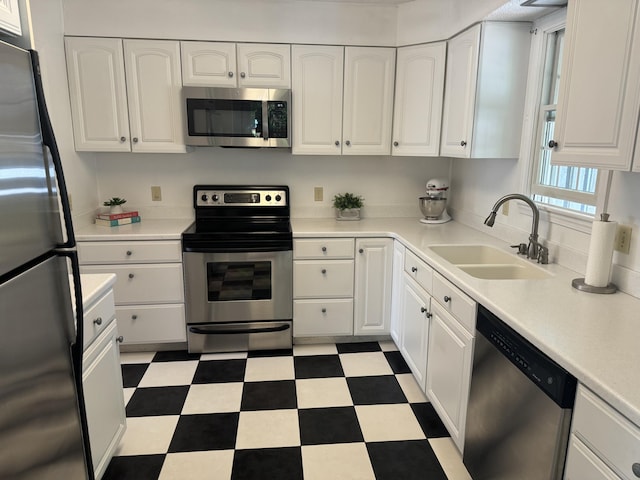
(216, 64)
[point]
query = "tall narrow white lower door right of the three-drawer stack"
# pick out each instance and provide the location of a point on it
(372, 293)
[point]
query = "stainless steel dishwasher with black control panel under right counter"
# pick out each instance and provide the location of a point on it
(519, 410)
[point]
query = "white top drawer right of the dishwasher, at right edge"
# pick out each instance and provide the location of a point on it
(614, 438)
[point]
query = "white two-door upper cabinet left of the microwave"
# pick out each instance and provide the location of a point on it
(125, 95)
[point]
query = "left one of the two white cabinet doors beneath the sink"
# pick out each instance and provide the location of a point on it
(415, 332)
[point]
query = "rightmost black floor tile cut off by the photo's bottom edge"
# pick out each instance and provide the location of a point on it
(408, 460)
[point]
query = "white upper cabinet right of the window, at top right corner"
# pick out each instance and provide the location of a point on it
(599, 98)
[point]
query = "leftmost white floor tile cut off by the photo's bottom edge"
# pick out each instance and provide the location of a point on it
(209, 465)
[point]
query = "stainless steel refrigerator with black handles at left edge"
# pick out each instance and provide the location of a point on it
(43, 432)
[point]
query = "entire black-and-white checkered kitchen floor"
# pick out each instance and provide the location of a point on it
(335, 411)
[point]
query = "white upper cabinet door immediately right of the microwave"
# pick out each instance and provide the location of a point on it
(317, 81)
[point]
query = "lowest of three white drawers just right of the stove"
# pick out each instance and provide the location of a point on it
(322, 317)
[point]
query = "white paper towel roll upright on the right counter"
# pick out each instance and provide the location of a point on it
(600, 253)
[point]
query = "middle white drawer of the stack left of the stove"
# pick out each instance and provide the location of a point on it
(144, 283)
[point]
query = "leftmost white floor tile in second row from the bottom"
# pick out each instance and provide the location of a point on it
(147, 435)
